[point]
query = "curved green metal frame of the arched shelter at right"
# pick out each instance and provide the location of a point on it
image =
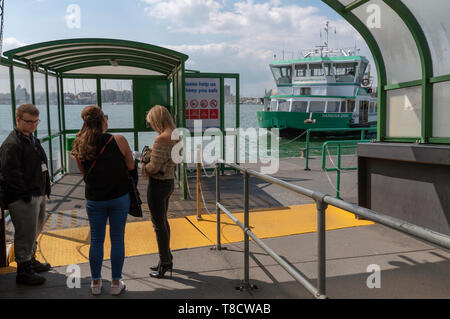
(404, 10)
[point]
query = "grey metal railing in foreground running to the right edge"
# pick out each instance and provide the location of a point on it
(322, 202)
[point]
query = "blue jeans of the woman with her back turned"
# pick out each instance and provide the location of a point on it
(116, 210)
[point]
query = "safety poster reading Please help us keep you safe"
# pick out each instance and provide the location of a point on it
(202, 102)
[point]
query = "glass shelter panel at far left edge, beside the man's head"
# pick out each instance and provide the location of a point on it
(6, 115)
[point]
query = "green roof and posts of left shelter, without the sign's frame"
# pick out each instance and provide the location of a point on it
(64, 59)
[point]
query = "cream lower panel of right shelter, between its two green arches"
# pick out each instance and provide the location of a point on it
(404, 112)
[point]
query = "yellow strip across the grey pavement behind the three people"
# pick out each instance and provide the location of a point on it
(71, 246)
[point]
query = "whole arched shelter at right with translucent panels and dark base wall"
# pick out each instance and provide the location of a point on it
(406, 173)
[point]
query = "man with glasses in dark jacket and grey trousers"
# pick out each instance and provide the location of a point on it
(25, 181)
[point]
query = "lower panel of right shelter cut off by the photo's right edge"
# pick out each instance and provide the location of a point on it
(441, 110)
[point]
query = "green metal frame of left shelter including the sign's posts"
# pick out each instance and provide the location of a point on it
(158, 77)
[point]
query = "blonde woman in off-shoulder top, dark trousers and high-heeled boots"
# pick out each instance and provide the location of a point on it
(159, 168)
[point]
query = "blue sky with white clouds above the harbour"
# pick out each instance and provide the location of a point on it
(218, 35)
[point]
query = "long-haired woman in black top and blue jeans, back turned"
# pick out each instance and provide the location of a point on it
(104, 160)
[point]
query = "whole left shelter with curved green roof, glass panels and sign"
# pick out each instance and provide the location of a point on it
(125, 78)
